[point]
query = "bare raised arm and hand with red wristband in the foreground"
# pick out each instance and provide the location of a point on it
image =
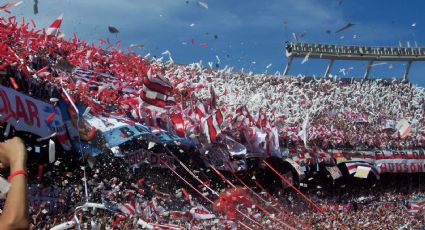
(15, 211)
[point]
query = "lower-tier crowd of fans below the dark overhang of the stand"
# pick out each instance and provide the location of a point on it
(157, 199)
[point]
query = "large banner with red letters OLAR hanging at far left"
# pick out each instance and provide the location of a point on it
(27, 114)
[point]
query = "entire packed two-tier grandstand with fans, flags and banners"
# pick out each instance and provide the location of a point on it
(118, 141)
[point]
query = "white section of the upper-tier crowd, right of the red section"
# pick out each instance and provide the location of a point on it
(342, 114)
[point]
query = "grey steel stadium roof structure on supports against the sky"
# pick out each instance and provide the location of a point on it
(358, 53)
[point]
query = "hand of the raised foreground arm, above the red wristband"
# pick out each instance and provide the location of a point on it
(13, 154)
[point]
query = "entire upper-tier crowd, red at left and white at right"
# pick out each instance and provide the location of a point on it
(337, 113)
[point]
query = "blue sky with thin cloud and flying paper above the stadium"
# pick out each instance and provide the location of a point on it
(248, 35)
